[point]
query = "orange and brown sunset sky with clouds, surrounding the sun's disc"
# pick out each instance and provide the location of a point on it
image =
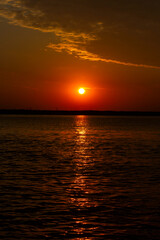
(49, 49)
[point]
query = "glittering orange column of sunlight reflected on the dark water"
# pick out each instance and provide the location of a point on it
(81, 188)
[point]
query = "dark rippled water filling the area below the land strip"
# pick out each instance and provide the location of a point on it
(79, 177)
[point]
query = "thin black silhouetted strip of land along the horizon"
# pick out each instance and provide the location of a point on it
(81, 112)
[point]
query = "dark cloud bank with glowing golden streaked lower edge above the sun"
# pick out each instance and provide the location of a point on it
(93, 30)
